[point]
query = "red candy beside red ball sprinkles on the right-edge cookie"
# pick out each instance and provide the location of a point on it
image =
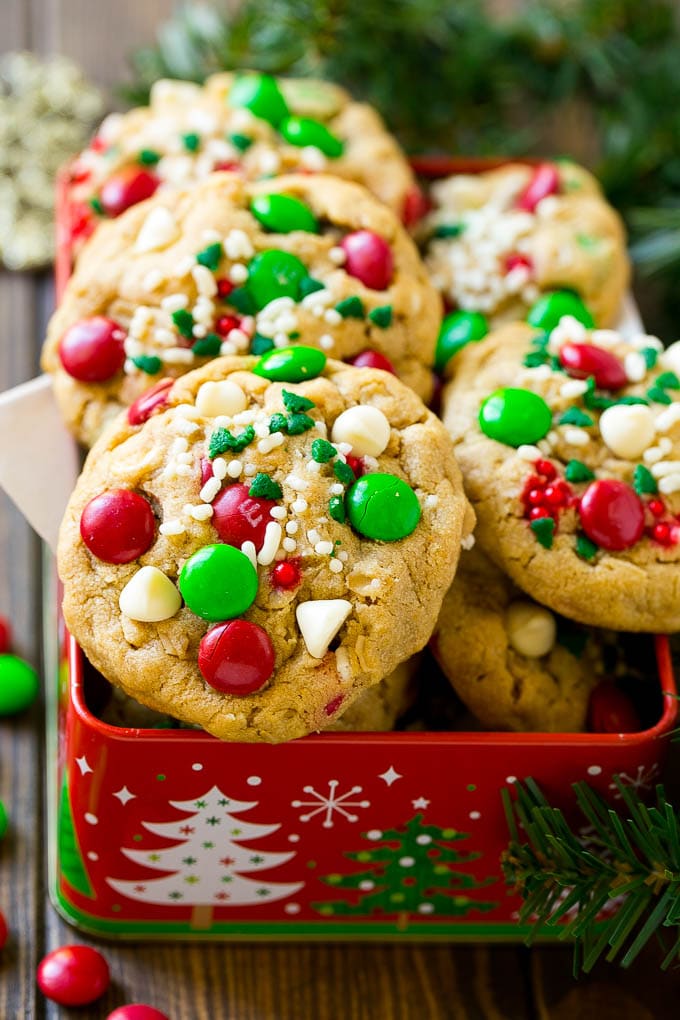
(612, 515)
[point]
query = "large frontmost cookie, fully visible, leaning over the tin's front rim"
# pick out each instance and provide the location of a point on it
(261, 550)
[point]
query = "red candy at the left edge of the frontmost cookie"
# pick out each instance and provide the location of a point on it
(118, 526)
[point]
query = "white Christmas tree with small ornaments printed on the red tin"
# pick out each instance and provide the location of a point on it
(208, 863)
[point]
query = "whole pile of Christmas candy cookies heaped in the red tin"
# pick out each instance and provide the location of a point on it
(270, 520)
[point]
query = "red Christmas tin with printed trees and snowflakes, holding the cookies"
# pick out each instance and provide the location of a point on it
(173, 834)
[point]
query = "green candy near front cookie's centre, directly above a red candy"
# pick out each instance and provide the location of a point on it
(219, 583)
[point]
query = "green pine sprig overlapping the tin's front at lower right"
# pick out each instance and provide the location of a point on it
(566, 881)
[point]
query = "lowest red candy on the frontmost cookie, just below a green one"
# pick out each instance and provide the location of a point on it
(237, 658)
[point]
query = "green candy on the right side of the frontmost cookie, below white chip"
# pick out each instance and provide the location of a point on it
(383, 506)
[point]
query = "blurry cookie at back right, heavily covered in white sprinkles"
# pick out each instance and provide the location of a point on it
(495, 242)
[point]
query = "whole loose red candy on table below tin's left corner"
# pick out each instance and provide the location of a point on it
(74, 976)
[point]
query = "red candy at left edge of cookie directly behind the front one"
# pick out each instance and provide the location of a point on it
(92, 350)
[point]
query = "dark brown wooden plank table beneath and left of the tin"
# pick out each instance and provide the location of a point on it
(225, 983)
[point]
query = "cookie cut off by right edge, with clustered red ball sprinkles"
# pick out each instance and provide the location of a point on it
(569, 443)
